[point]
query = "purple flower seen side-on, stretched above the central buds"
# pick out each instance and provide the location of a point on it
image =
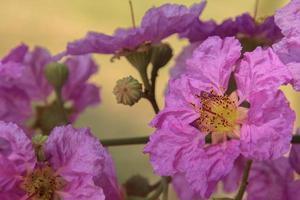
(157, 24)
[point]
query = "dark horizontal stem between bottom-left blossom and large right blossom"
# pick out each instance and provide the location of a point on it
(125, 141)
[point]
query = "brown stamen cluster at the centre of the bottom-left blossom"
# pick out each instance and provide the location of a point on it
(42, 183)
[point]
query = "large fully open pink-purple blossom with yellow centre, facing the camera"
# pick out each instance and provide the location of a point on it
(249, 121)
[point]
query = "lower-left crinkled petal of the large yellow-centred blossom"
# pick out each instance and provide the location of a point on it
(168, 143)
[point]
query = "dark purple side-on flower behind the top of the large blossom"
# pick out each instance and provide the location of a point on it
(250, 33)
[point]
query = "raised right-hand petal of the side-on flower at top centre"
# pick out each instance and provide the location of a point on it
(159, 23)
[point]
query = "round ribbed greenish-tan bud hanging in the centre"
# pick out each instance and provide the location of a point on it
(128, 91)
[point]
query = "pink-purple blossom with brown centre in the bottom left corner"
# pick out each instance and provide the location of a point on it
(74, 158)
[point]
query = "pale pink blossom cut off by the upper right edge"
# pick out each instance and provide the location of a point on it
(288, 49)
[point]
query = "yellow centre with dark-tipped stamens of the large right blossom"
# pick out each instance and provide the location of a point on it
(220, 114)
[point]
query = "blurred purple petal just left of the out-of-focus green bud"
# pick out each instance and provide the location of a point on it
(33, 79)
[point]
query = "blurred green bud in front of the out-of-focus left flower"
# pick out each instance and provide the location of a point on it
(56, 74)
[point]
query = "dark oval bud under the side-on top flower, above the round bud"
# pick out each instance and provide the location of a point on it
(161, 55)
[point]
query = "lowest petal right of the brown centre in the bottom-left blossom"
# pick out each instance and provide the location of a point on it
(81, 188)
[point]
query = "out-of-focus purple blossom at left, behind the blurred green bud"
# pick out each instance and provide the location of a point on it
(23, 79)
